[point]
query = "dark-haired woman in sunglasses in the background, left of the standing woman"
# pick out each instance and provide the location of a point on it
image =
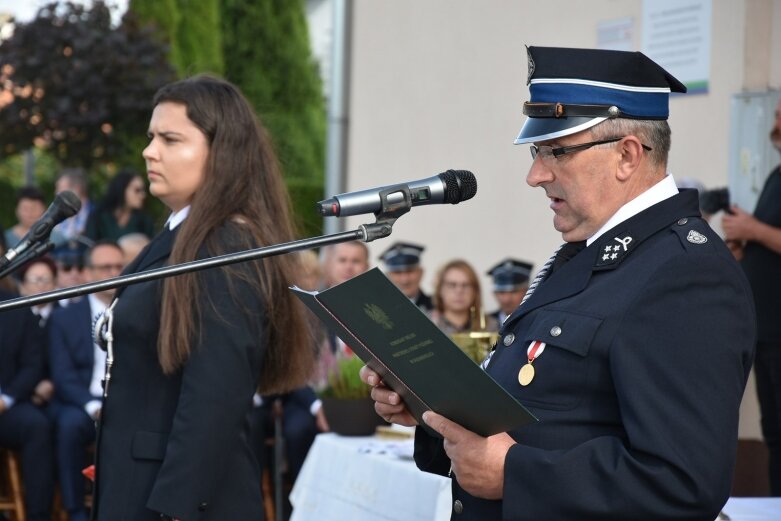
(122, 209)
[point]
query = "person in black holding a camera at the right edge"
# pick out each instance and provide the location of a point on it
(756, 241)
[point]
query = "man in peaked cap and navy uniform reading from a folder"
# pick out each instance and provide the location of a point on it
(632, 347)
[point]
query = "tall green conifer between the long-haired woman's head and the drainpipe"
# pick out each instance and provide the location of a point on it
(267, 54)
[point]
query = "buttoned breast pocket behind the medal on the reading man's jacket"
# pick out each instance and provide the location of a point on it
(561, 369)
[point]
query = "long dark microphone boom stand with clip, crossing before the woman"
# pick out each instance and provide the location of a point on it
(383, 227)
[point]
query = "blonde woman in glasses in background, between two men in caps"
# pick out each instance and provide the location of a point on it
(458, 304)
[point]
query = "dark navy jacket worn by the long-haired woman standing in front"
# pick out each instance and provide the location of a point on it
(179, 444)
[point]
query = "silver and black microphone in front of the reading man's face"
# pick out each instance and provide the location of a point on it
(449, 187)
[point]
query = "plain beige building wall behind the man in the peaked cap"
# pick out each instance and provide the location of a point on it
(439, 84)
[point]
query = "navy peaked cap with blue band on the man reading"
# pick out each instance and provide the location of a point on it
(574, 89)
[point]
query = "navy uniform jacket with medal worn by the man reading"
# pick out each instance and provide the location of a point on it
(638, 388)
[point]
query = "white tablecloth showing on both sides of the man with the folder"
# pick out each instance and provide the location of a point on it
(362, 478)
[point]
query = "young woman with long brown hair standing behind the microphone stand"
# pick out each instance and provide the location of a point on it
(188, 353)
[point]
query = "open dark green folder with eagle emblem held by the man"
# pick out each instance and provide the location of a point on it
(413, 357)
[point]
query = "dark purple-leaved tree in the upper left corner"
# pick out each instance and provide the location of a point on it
(75, 86)
